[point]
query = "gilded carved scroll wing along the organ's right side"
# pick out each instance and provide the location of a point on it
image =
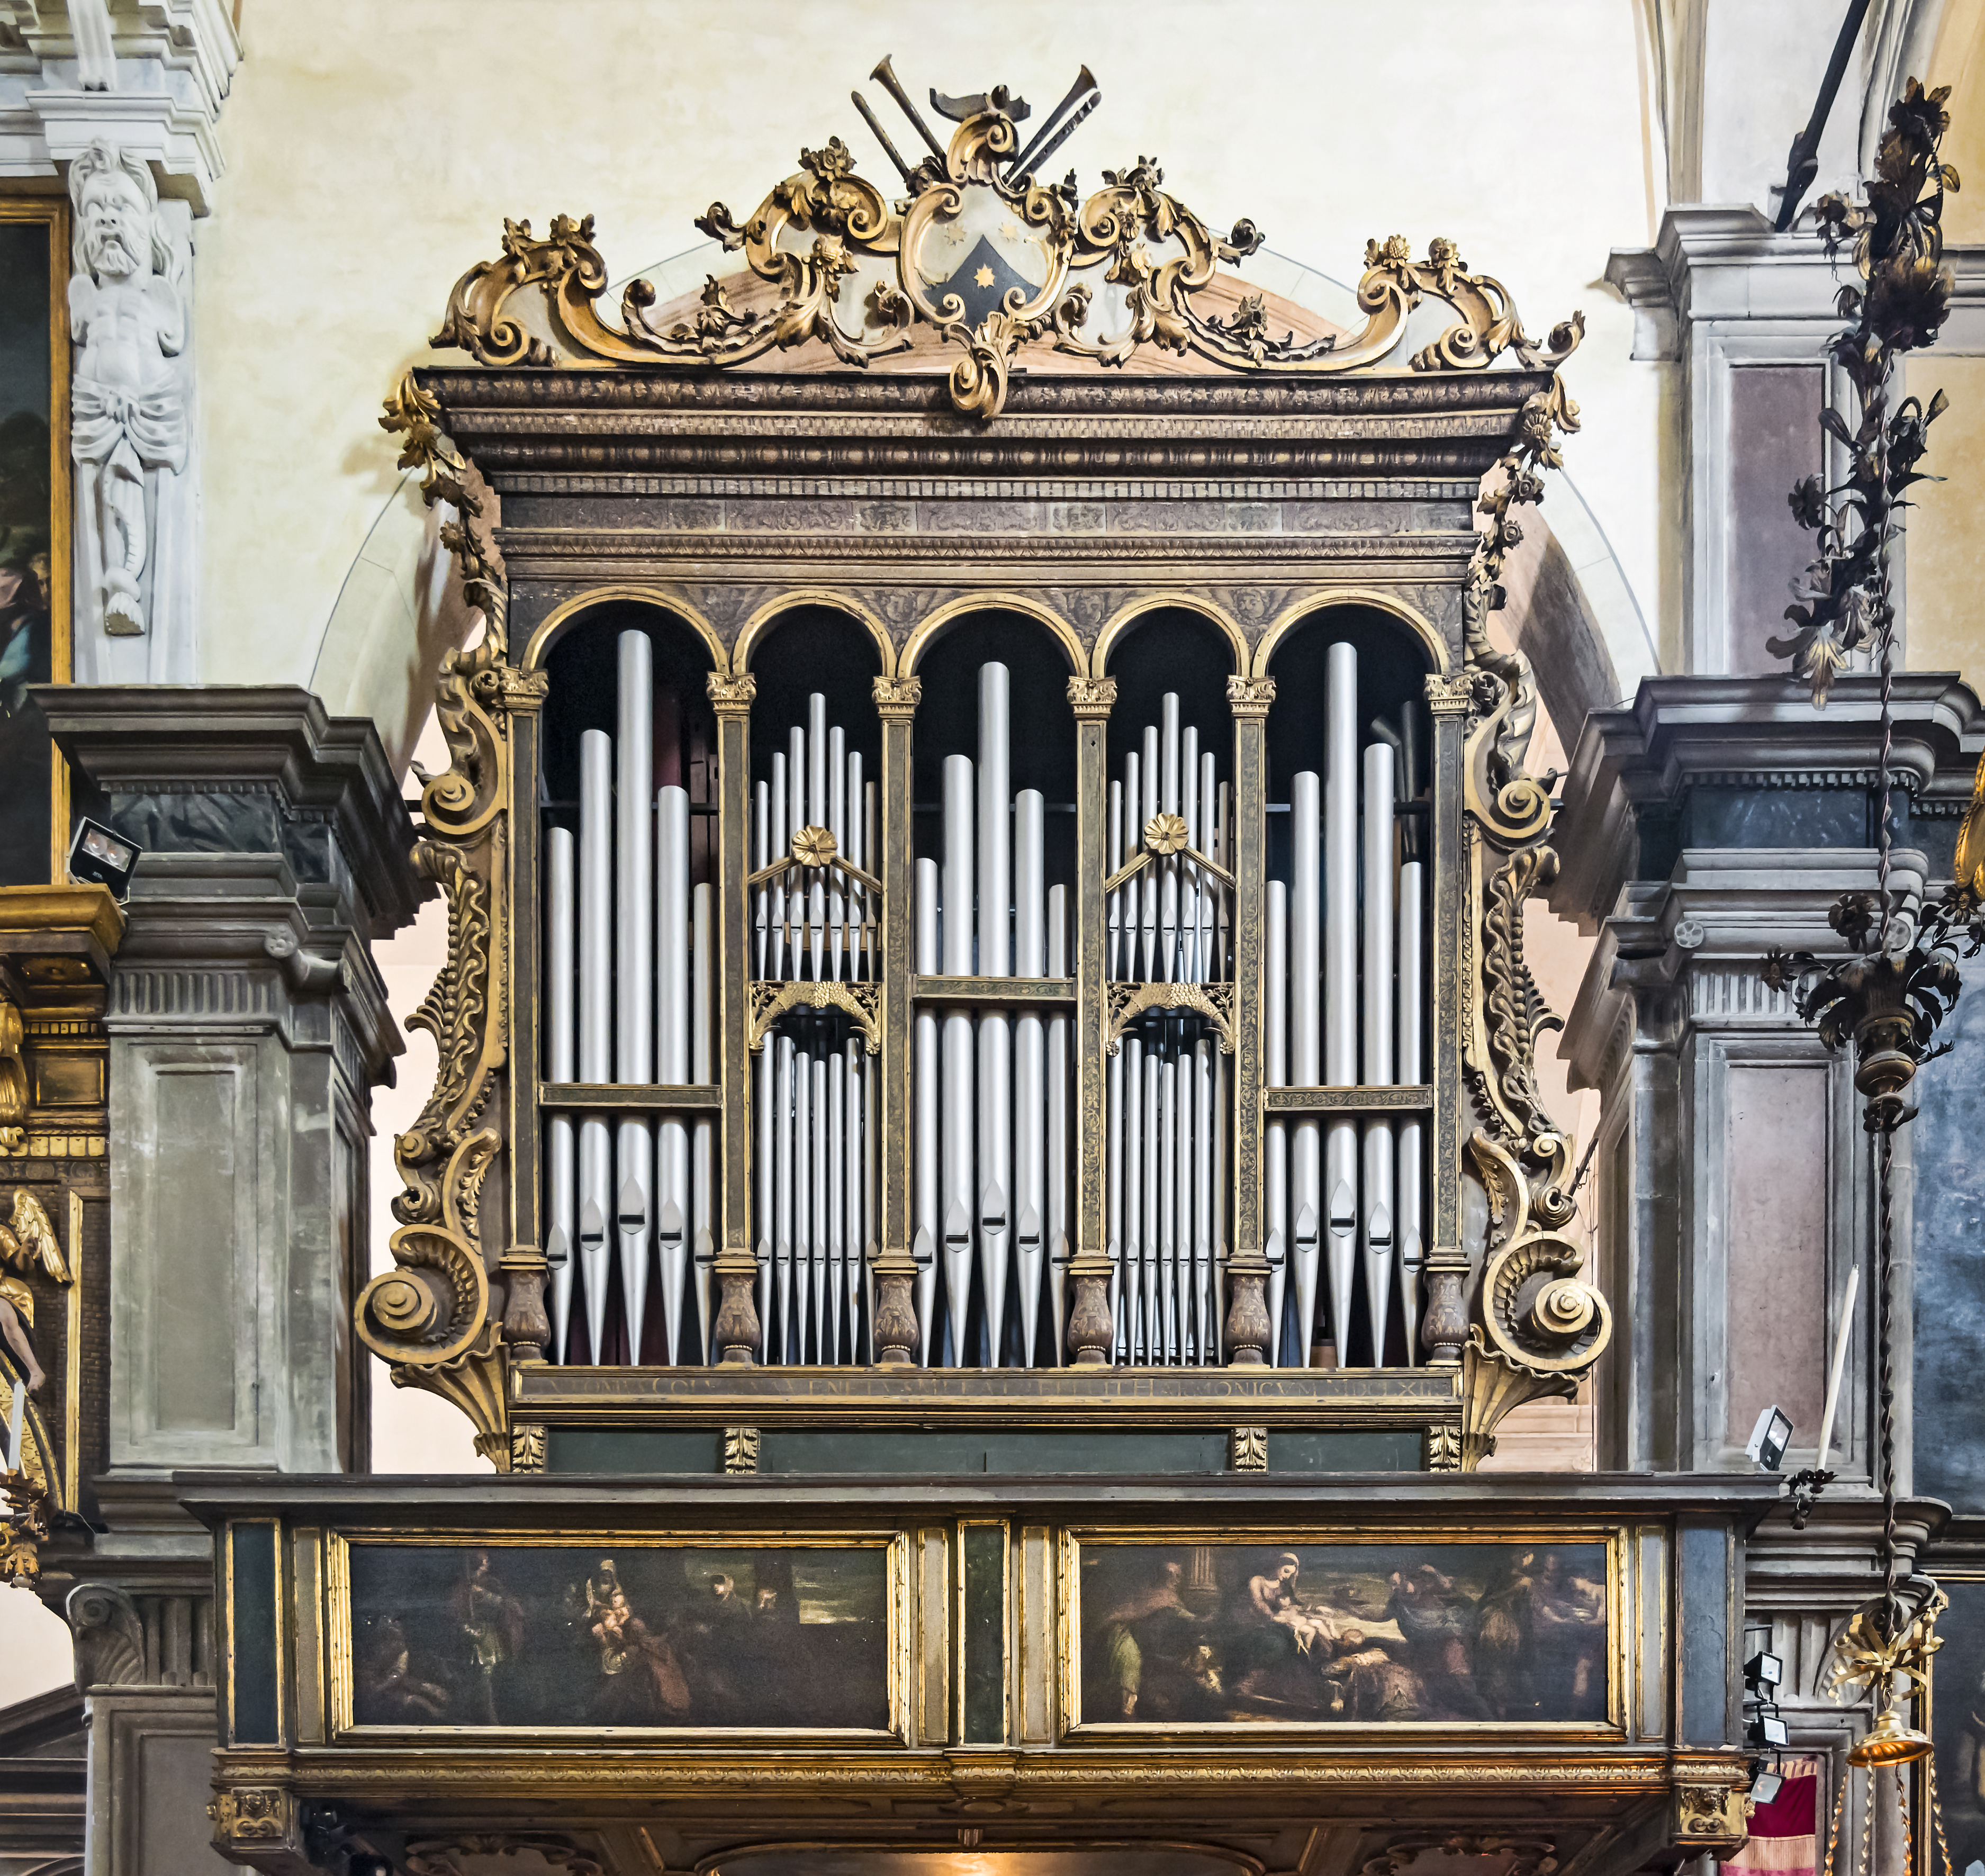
(1537, 1323)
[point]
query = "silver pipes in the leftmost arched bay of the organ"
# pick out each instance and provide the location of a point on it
(630, 1000)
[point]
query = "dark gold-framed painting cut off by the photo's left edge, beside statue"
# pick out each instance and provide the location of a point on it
(33, 543)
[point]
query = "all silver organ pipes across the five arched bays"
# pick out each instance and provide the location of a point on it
(632, 1000)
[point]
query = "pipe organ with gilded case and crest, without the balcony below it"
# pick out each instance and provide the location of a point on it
(952, 910)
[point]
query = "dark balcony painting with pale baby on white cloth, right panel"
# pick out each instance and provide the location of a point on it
(1341, 1633)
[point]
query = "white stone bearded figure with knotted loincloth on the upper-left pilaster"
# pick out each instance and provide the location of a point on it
(128, 412)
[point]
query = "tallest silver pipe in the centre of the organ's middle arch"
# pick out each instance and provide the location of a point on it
(995, 1029)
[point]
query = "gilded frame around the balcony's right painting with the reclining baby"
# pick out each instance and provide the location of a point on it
(1077, 1543)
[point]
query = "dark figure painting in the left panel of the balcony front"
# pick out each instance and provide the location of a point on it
(763, 1639)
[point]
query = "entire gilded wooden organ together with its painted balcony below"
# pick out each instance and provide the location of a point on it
(986, 1182)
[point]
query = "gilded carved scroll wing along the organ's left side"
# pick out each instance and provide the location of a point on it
(432, 1315)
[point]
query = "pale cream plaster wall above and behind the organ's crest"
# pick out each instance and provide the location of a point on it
(374, 154)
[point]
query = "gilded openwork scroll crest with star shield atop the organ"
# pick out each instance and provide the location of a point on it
(984, 255)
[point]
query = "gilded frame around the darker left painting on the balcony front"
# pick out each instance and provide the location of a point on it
(340, 1635)
